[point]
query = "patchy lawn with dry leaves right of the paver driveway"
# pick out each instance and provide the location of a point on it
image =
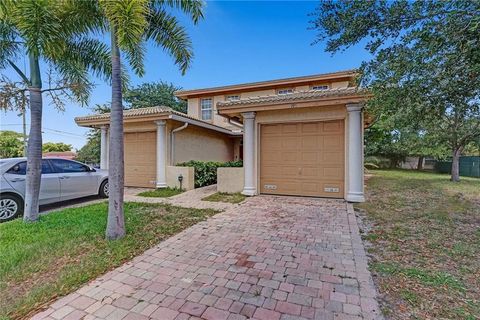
(424, 244)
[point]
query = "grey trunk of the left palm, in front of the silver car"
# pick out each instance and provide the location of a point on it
(34, 149)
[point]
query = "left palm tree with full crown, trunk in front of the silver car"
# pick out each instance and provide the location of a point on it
(52, 33)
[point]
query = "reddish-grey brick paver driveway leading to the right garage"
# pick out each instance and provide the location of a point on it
(270, 258)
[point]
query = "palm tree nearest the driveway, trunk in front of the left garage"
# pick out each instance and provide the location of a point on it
(132, 24)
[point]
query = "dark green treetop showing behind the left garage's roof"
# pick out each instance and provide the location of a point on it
(154, 94)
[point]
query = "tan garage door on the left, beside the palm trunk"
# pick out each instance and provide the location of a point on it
(140, 159)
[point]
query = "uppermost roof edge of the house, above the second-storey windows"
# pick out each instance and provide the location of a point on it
(269, 83)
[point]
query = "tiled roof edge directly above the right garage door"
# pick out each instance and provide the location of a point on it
(295, 96)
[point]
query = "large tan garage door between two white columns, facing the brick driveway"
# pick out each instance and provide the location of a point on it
(305, 159)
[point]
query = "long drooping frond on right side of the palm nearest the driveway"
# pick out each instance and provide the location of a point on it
(165, 30)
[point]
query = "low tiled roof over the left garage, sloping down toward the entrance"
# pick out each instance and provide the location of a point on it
(103, 118)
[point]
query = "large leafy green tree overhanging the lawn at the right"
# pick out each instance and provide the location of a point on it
(425, 66)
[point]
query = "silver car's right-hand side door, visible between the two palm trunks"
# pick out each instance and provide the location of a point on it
(76, 179)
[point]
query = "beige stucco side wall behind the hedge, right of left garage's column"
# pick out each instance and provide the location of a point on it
(194, 143)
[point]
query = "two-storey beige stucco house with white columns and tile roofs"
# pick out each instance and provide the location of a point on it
(297, 136)
